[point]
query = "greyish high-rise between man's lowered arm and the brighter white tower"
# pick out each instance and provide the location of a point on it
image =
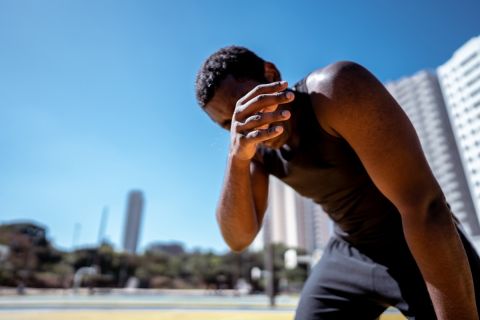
(421, 98)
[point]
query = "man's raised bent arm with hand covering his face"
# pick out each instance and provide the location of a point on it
(243, 197)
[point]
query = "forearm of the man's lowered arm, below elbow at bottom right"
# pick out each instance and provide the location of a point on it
(439, 253)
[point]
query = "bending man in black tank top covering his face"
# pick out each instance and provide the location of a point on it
(339, 138)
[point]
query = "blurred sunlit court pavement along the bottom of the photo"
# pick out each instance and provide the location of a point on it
(150, 306)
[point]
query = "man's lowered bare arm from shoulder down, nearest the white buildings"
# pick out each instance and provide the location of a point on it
(351, 103)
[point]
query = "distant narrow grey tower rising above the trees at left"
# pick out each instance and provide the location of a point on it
(133, 221)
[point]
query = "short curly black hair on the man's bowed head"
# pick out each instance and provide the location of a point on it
(237, 61)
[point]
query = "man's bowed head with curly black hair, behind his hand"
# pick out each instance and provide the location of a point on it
(226, 76)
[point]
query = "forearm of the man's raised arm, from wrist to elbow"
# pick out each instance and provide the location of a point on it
(236, 208)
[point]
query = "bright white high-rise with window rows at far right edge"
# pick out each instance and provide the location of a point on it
(460, 81)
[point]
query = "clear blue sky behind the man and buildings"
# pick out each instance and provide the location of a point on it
(97, 98)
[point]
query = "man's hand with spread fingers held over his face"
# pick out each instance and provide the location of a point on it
(253, 115)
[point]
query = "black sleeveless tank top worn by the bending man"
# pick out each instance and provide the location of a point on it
(326, 169)
